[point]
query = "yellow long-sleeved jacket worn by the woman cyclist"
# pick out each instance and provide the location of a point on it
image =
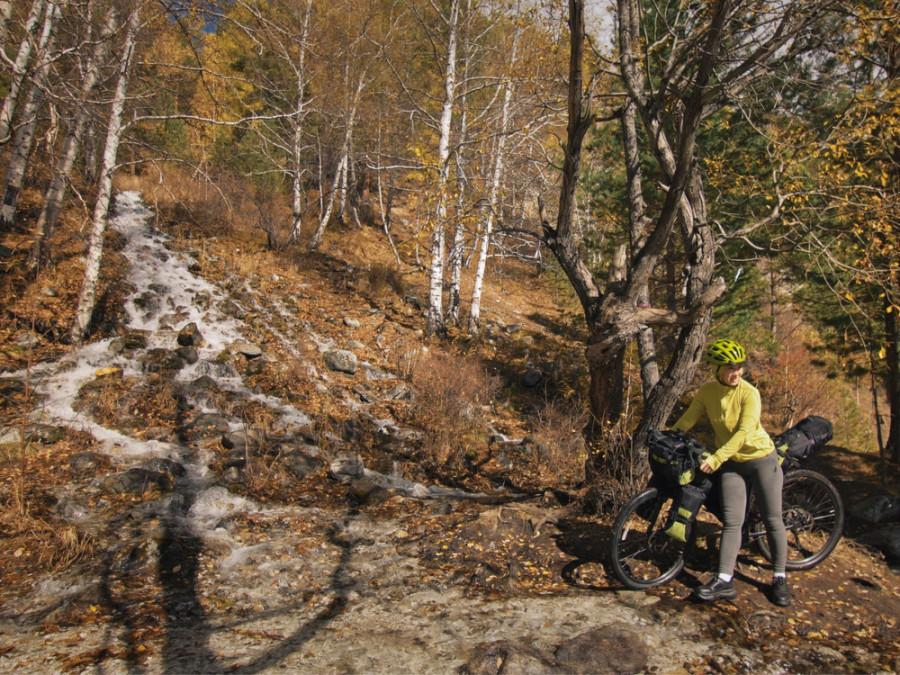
(734, 415)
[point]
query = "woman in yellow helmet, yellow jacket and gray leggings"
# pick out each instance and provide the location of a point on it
(745, 453)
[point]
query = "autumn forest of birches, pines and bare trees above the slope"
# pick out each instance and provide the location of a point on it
(688, 165)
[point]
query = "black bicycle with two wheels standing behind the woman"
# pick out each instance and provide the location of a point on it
(643, 555)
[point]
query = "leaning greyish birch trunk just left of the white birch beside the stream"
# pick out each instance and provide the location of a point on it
(56, 192)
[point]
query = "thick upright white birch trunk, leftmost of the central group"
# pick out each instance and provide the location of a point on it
(436, 284)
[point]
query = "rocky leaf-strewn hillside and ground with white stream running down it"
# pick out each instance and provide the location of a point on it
(228, 482)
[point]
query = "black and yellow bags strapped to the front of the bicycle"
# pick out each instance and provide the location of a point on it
(675, 459)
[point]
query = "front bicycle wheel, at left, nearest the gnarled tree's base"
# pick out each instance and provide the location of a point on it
(642, 554)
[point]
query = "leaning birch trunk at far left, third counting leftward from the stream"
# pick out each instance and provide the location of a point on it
(24, 136)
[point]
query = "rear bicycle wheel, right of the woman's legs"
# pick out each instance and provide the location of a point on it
(813, 516)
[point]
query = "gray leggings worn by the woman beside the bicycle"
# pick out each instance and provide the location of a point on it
(766, 478)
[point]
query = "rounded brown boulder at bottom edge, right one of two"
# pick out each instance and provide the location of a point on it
(609, 649)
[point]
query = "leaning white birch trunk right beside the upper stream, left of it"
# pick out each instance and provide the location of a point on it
(87, 298)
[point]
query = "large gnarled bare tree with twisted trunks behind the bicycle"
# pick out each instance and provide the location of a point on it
(678, 64)
